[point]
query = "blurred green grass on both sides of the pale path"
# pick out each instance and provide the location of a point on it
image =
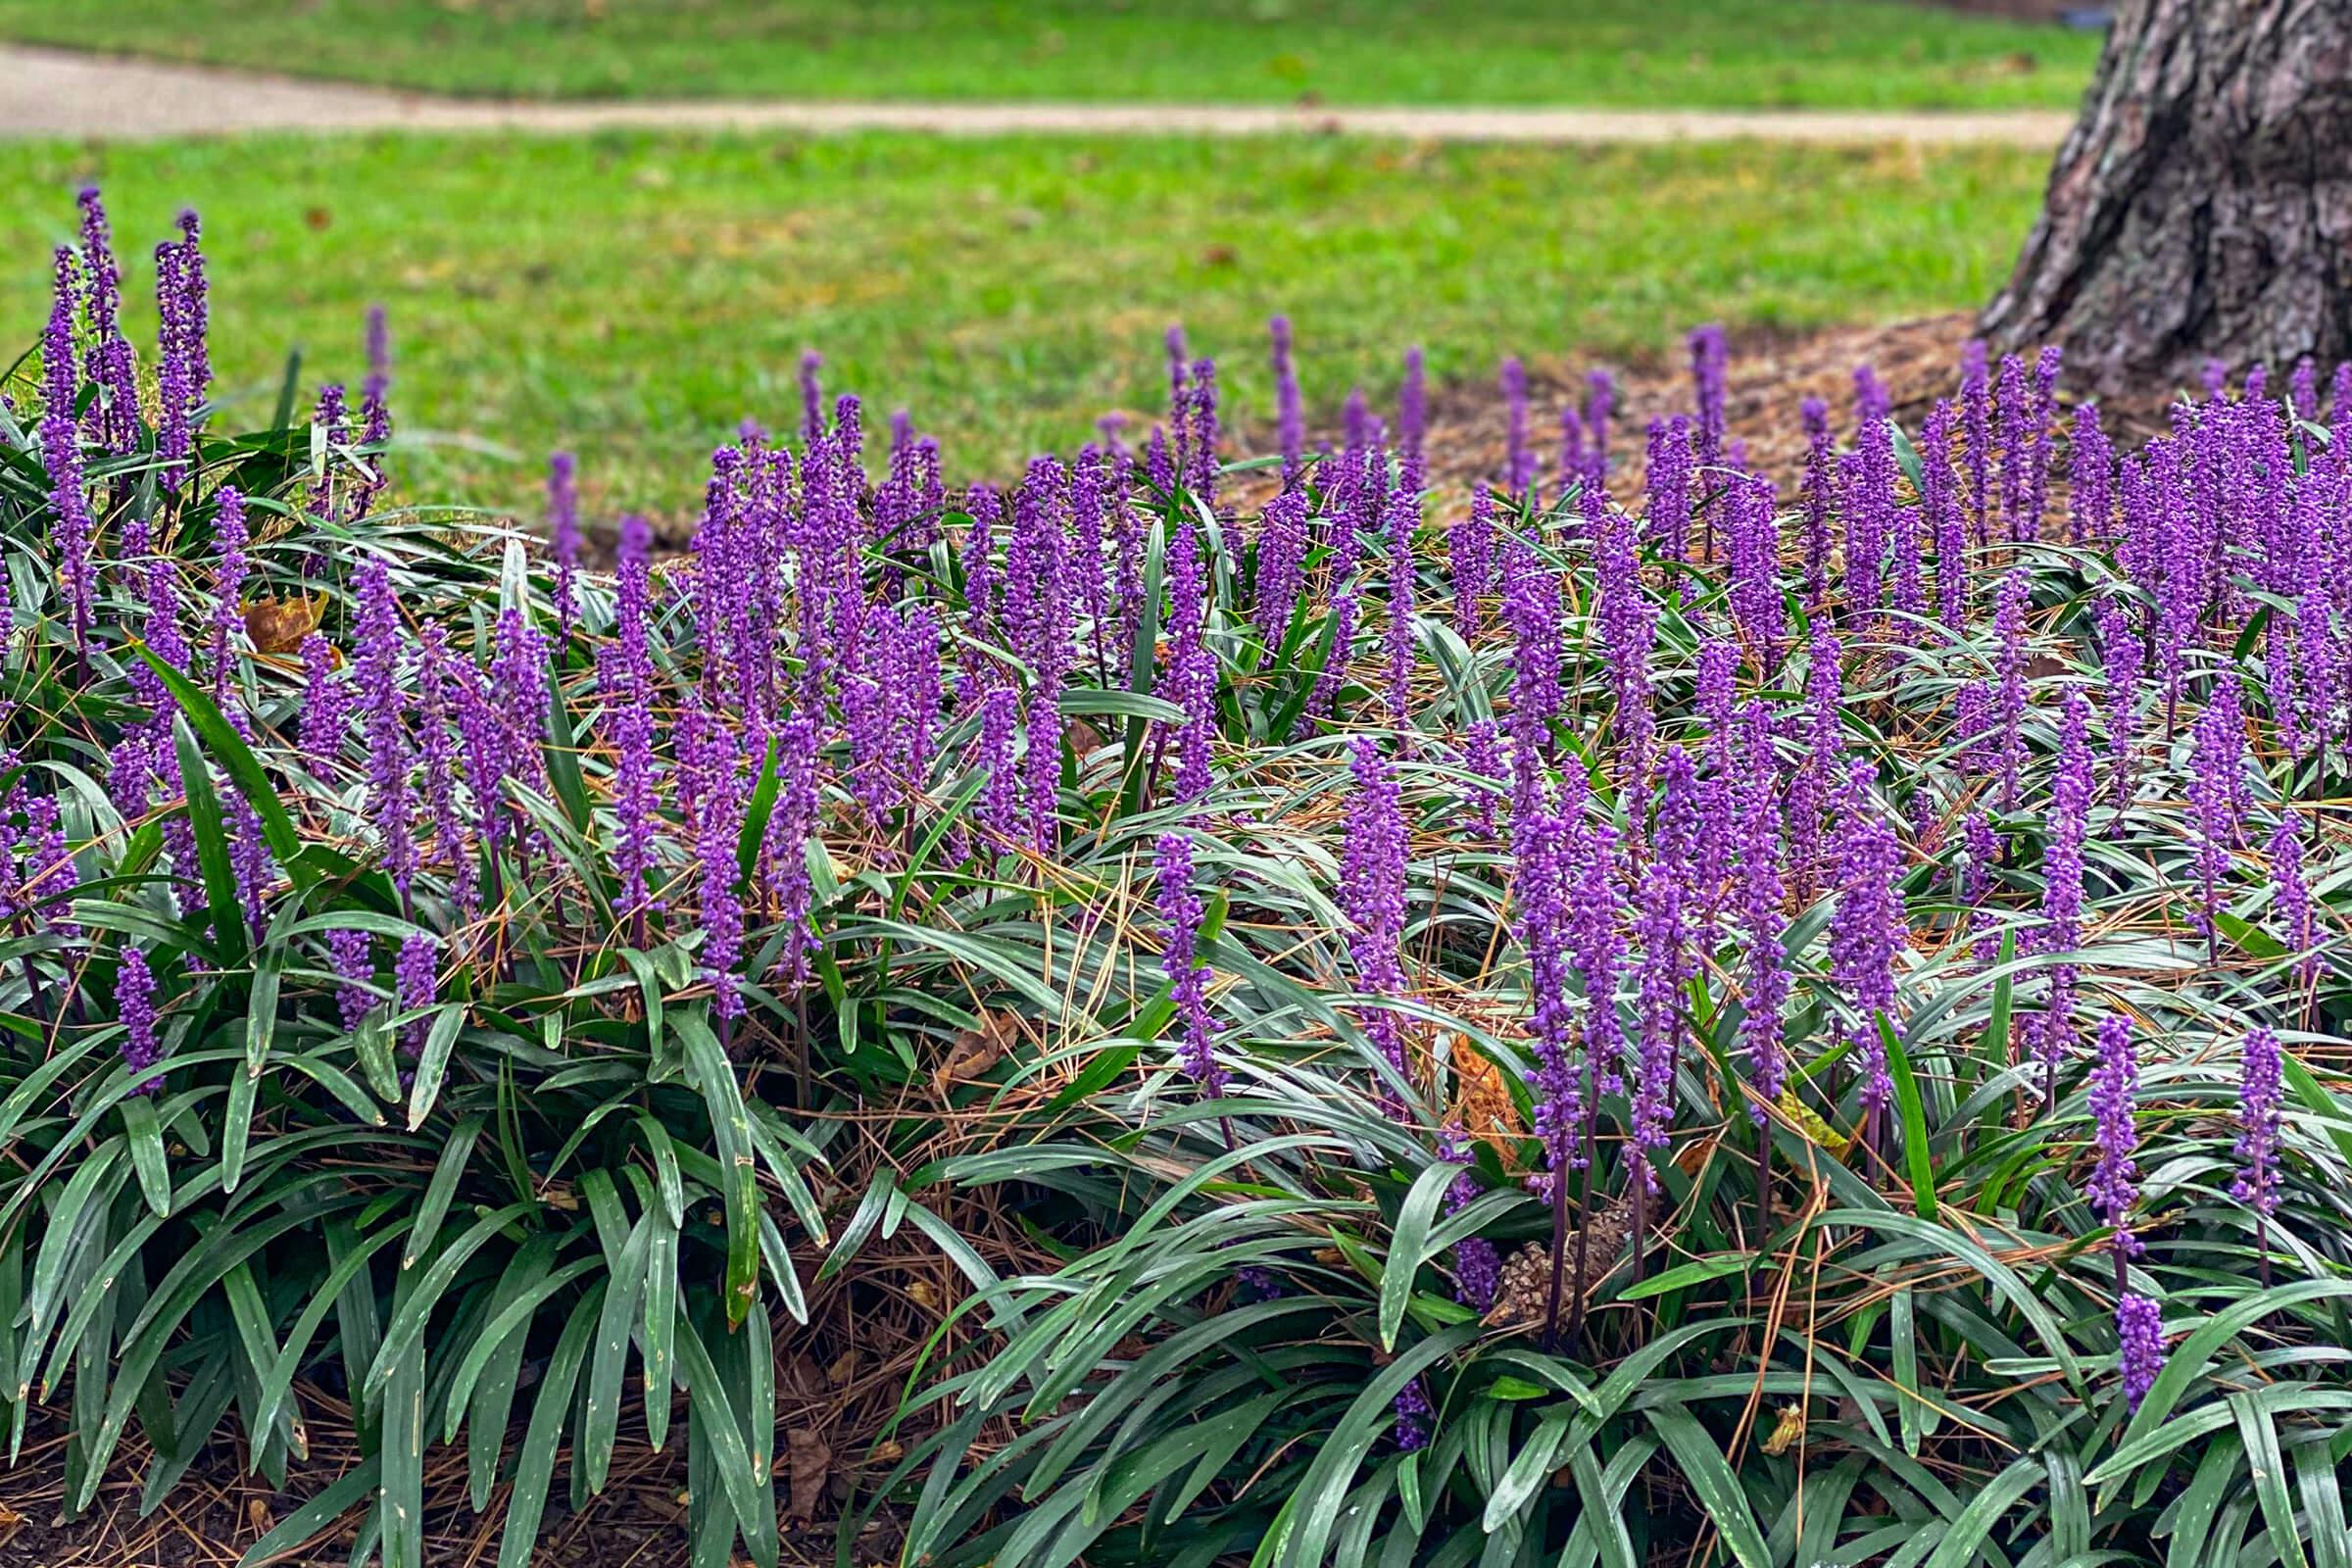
(636, 295)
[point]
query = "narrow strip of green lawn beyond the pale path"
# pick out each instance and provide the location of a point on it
(1678, 53)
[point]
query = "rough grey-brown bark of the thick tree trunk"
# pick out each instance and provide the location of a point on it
(2203, 206)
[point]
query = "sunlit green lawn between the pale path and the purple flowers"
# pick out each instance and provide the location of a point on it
(634, 297)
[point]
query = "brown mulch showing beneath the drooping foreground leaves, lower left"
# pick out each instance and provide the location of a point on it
(838, 1383)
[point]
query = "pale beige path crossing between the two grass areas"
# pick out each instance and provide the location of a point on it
(55, 93)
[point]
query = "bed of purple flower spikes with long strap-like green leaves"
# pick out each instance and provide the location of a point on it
(1629, 1014)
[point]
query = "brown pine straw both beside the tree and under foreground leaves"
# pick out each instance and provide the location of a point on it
(841, 1379)
